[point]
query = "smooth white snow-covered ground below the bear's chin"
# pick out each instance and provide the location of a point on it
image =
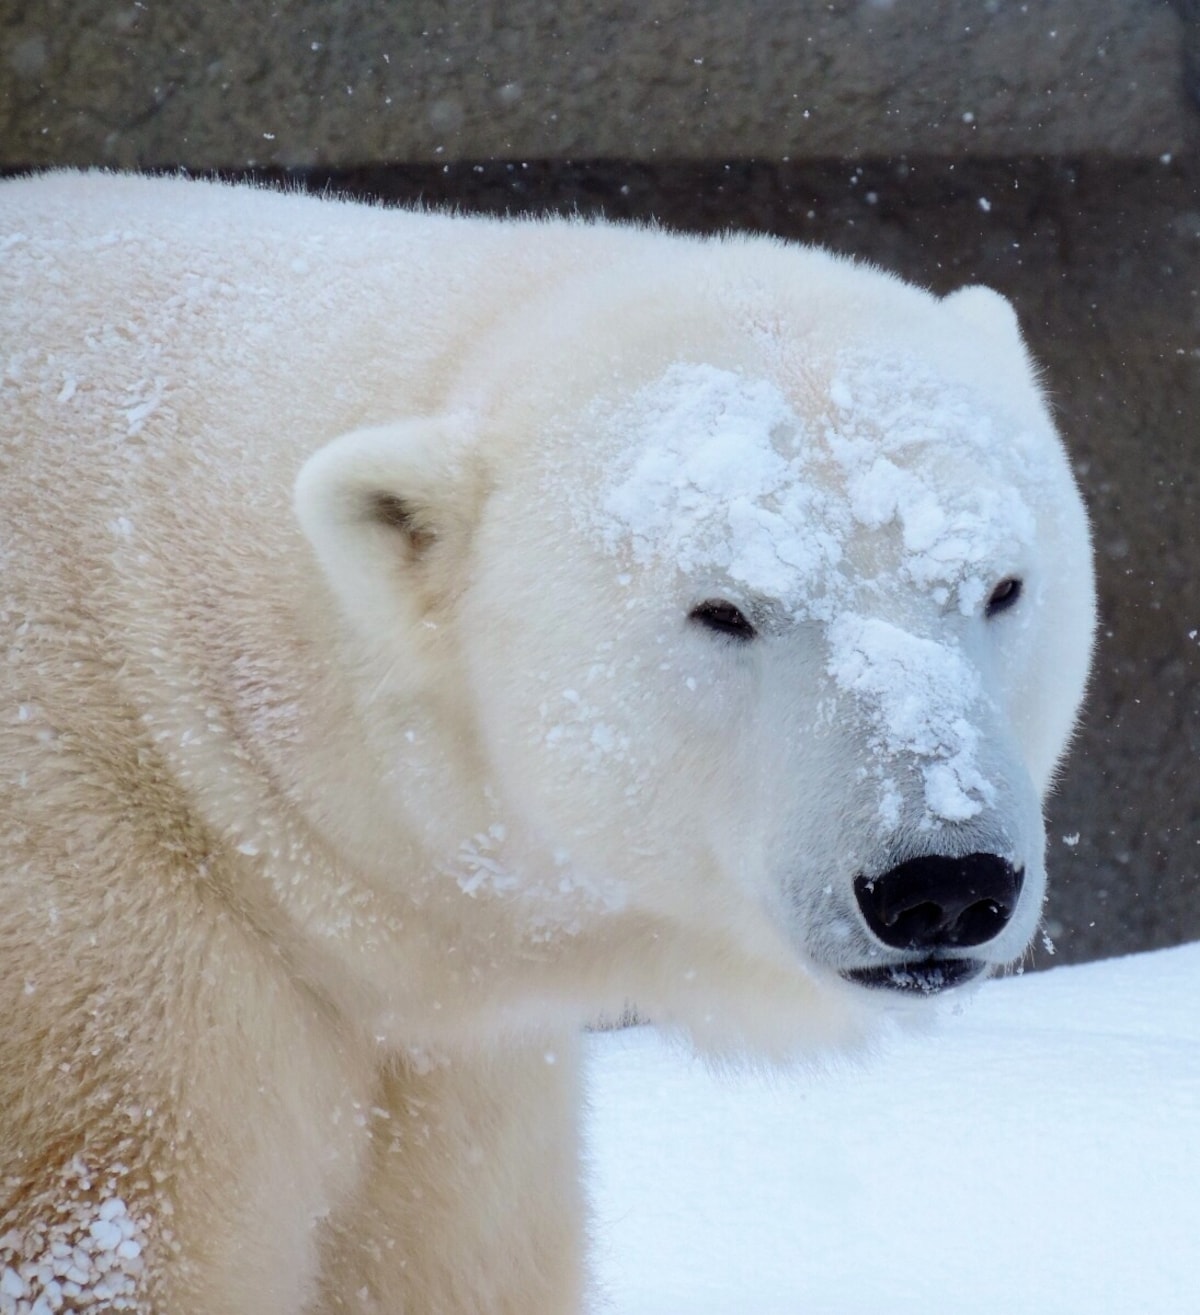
(1039, 1154)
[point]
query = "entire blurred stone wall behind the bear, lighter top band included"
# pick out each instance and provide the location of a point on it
(1051, 149)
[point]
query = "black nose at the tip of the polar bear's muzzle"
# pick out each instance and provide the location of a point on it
(935, 903)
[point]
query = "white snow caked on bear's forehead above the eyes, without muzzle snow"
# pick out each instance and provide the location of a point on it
(722, 474)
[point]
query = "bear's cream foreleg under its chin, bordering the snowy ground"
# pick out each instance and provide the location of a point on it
(473, 1204)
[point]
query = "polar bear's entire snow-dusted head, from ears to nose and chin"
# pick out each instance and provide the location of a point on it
(766, 617)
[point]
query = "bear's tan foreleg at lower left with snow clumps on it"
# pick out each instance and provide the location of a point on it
(177, 1118)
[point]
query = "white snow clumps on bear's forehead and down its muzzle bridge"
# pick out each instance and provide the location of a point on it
(721, 474)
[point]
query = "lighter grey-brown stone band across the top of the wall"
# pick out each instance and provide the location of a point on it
(235, 84)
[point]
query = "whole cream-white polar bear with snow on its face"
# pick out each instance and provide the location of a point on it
(427, 637)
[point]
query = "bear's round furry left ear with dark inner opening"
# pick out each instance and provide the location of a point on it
(390, 514)
